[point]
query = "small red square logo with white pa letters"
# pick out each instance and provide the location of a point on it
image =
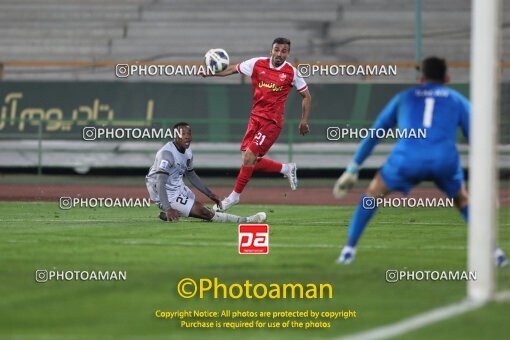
(253, 239)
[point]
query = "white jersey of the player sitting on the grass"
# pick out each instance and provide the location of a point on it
(171, 161)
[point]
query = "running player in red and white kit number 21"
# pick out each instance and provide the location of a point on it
(272, 79)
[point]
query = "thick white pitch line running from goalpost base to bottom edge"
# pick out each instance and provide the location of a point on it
(416, 322)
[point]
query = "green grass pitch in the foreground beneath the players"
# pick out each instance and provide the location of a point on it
(304, 243)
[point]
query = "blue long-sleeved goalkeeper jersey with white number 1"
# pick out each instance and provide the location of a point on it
(436, 108)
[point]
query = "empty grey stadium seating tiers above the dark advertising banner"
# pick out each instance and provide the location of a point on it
(35, 35)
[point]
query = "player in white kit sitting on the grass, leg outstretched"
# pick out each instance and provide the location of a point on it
(173, 161)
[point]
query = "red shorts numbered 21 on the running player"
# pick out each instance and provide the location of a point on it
(260, 135)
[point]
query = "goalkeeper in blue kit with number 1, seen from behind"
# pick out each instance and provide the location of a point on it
(431, 106)
